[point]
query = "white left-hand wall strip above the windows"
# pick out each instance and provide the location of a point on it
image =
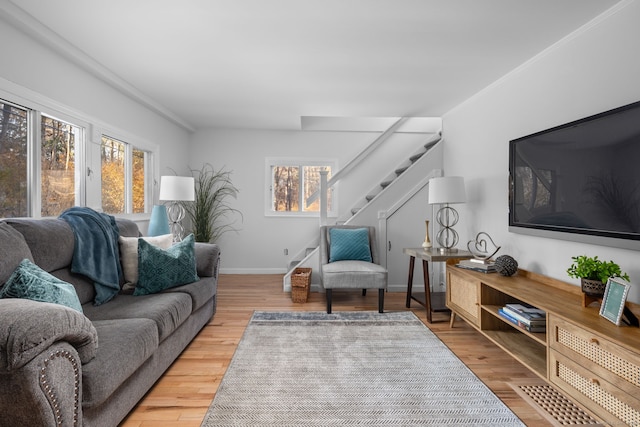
(29, 65)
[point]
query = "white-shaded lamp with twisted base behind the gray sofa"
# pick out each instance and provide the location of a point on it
(176, 189)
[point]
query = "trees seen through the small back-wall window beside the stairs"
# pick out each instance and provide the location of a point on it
(292, 185)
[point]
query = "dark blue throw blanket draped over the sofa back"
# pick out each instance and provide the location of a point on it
(96, 253)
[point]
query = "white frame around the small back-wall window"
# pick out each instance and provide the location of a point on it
(270, 162)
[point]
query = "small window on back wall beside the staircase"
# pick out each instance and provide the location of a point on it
(292, 182)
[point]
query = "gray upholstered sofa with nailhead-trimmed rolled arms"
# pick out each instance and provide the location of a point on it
(61, 367)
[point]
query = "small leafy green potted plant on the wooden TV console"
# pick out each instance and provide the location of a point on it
(594, 273)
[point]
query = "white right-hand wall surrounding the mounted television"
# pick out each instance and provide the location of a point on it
(595, 70)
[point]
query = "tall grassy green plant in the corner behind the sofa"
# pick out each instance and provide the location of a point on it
(210, 214)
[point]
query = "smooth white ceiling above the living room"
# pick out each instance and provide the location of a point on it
(266, 63)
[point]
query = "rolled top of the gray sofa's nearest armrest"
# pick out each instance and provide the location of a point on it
(28, 328)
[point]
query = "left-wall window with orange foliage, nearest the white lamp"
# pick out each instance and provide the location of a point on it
(123, 168)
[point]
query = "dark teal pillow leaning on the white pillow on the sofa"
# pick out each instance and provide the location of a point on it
(160, 269)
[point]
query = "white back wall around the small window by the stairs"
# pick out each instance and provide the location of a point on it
(259, 245)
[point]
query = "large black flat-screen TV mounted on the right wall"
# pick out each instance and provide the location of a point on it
(579, 181)
